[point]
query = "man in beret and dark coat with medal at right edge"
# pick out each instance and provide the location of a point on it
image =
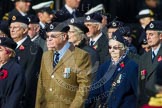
(149, 61)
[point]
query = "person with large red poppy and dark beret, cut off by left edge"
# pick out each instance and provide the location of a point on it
(12, 77)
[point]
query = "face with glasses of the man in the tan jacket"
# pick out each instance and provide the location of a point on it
(56, 40)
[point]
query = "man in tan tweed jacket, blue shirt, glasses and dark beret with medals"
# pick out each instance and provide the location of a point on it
(65, 72)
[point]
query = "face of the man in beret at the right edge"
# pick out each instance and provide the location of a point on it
(153, 38)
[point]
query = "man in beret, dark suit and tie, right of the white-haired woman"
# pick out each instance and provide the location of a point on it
(97, 39)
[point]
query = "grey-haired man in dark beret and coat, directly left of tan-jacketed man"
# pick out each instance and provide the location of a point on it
(28, 55)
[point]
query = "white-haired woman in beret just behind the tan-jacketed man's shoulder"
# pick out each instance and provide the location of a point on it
(78, 38)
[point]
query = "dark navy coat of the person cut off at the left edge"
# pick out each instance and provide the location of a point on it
(13, 86)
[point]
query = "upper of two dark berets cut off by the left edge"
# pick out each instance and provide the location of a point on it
(4, 27)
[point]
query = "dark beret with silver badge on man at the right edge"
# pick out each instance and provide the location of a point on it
(154, 25)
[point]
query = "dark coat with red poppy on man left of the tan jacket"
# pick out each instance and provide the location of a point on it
(29, 56)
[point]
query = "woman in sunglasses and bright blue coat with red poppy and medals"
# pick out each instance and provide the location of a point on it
(116, 81)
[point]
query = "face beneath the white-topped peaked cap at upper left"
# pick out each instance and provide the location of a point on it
(45, 17)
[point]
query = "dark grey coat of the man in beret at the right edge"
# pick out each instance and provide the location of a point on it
(147, 83)
